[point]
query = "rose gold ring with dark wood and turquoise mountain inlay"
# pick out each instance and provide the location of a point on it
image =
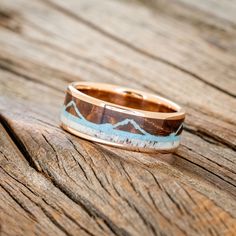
(121, 117)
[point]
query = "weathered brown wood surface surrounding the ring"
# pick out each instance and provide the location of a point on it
(53, 183)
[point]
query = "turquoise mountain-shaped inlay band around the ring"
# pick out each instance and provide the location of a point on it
(109, 129)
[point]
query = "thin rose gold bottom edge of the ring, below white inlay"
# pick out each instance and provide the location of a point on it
(116, 145)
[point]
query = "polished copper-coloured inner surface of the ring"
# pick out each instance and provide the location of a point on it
(128, 99)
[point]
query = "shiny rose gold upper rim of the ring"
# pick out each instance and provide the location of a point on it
(84, 97)
